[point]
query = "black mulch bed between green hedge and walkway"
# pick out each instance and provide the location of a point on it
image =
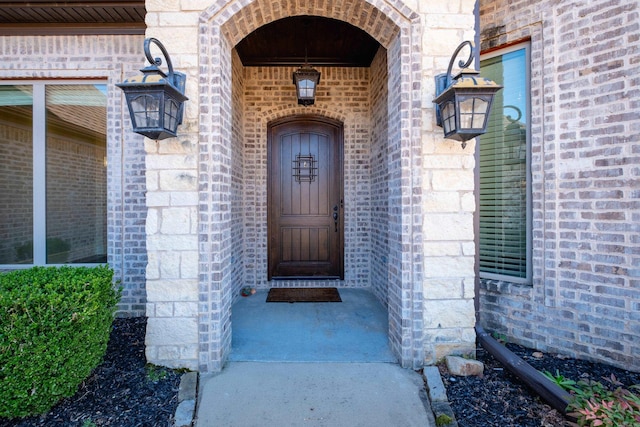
(122, 391)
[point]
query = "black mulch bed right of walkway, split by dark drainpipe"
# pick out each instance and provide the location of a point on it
(501, 399)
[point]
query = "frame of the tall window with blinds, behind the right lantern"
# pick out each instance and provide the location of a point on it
(527, 280)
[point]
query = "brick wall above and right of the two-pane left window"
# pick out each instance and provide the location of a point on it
(111, 59)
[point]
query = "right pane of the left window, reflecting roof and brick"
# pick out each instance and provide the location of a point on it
(76, 173)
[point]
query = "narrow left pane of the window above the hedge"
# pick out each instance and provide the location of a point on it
(16, 175)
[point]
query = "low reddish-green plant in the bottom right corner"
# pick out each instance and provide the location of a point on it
(594, 404)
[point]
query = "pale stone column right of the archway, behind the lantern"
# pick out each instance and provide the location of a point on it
(447, 192)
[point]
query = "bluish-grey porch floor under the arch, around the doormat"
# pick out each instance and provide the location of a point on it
(354, 330)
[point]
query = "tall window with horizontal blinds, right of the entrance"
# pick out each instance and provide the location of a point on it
(505, 229)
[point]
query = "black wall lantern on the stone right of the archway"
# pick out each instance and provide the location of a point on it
(463, 103)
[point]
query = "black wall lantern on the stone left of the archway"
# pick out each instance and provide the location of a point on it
(155, 99)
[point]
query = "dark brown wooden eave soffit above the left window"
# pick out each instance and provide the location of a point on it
(72, 17)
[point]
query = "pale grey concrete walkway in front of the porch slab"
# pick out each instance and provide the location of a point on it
(284, 394)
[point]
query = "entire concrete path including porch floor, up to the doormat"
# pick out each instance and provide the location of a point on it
(312, 364)
